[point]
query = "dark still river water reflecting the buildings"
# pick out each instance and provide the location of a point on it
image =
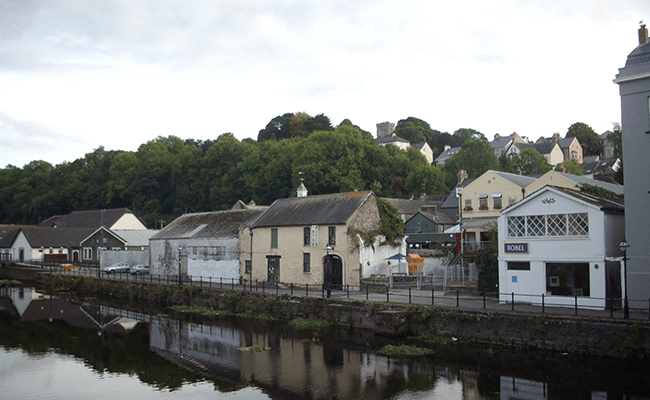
(58, 349)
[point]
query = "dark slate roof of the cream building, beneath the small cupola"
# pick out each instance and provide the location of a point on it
(335, 209)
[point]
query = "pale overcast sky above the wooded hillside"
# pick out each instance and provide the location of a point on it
(76, 75)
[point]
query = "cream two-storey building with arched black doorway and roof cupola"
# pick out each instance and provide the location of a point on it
(313, 239)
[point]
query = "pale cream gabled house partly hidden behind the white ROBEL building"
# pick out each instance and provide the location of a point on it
(481, 202)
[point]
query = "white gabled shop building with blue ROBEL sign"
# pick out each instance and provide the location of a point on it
(563, 244)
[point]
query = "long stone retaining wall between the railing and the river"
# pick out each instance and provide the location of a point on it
(570, 334)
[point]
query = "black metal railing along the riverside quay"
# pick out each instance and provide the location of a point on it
(639, 308)
